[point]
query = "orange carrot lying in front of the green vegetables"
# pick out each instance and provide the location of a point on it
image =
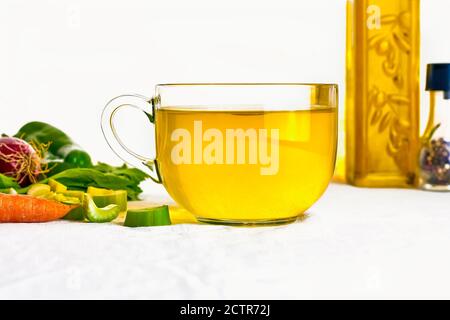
(21, 208)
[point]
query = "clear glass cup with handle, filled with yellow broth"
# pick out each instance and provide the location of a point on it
(237, 154)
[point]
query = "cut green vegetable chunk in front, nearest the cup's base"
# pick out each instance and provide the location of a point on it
(148, 217)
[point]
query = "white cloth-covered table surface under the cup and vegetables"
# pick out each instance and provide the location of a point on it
(355, 243)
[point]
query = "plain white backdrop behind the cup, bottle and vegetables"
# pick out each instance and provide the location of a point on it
(62, 60)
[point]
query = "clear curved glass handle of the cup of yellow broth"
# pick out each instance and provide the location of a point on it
(143, 104)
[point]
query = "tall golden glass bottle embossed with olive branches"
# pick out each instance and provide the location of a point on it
(382, 103)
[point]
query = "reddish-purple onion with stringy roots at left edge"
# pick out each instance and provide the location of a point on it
(20, 160)
